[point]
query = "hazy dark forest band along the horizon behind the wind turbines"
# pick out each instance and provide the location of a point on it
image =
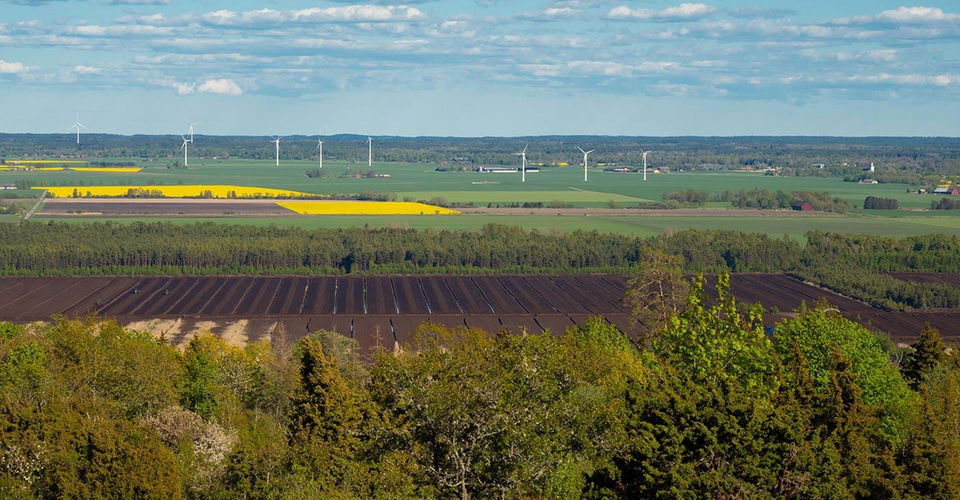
(839, 155)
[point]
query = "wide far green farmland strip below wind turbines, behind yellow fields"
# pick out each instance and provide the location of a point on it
(422, 181)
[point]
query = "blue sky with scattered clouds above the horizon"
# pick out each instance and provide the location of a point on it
(482, 67)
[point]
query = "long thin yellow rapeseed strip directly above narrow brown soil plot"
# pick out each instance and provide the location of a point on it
(192, 191)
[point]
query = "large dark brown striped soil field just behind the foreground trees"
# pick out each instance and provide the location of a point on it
(385, 311)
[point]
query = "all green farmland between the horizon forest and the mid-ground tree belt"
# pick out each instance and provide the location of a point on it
(422, 182)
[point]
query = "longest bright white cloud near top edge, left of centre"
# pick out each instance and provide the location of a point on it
(348, 13)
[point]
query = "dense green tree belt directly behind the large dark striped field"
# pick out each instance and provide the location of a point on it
(855, 265)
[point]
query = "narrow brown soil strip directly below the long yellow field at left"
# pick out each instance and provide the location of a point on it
(70, 207)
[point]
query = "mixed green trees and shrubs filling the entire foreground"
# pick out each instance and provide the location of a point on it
(708, 405)
